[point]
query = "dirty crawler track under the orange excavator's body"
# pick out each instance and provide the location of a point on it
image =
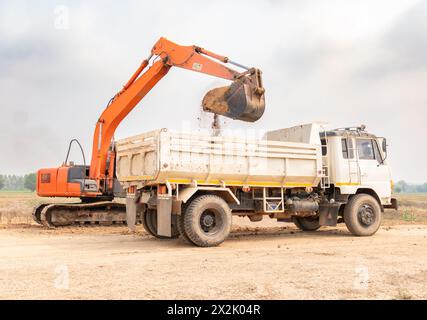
(66, 214)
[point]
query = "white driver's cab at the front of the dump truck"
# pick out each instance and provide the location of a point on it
(356, 162)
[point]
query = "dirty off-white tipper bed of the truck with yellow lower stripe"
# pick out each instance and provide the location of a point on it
(159, 156)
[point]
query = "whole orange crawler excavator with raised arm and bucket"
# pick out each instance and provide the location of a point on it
(96, 185)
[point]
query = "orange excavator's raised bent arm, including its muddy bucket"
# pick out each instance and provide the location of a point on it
(243, 100)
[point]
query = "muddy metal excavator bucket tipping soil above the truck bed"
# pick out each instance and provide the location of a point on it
(242, 100)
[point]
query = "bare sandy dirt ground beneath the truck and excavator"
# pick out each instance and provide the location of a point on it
(264, 260)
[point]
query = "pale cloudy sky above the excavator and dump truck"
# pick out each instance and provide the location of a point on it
(342, 62)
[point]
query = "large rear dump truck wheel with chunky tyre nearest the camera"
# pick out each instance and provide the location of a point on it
(207, 221)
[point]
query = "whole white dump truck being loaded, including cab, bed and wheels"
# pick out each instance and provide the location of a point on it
(191, 185)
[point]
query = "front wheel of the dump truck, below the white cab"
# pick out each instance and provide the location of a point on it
(362, 215)
